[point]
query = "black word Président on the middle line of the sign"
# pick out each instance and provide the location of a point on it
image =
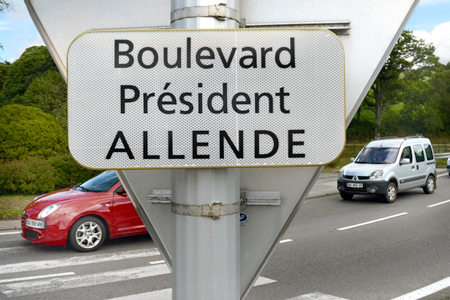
(216, 103)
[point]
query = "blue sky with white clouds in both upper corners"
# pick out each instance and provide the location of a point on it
(430, 22)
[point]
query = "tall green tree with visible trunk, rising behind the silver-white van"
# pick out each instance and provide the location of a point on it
(407, 70)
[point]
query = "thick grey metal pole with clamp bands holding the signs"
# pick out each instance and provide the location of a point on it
(205, 249)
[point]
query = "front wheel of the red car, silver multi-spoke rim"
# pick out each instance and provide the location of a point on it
(87, 234)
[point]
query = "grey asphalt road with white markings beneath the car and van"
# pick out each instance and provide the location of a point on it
(334, 249)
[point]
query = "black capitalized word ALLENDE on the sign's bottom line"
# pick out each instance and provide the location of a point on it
(200, 147)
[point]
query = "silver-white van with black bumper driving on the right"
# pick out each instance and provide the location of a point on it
(389, 165)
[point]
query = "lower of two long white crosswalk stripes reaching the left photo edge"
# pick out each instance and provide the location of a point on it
(56, 284)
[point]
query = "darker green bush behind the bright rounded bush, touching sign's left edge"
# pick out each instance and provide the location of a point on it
(49, 93)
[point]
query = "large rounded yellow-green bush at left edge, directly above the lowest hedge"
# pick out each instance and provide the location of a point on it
(28, 131)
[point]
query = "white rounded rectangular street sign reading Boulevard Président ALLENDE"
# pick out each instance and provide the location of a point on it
(206, 98)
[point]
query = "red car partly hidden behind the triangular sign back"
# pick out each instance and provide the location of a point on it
(84, 215)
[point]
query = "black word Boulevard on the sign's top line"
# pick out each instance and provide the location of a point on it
(204, 57)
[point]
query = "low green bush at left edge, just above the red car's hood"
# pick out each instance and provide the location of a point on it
(31, 176)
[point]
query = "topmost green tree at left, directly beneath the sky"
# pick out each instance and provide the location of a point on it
(32, 63)
